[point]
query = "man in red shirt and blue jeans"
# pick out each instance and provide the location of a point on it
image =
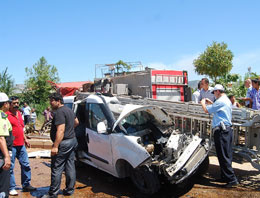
(19, 150)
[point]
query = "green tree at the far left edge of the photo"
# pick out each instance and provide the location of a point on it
(6, 82)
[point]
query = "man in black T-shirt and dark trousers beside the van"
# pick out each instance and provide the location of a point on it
(63, 148)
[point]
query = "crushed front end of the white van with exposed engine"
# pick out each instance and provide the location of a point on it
(180, 155)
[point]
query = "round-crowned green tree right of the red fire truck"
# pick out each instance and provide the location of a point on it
(215, 61)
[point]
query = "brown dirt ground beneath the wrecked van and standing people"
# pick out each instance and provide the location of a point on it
(93, 183)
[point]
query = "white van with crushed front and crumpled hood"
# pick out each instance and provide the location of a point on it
(137, 142)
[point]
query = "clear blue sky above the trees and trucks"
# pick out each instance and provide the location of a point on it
(166, 34)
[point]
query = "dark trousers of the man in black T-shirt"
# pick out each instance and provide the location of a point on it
(63, 161)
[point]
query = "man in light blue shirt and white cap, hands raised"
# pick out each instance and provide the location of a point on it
(221, 127)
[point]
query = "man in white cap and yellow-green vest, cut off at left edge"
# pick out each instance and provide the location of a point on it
(5, 146)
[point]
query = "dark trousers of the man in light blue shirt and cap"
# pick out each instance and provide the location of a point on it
(223, 145)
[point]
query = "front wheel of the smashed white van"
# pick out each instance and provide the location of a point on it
(145, 180)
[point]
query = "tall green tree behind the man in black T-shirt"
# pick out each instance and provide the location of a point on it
(37, 88)
